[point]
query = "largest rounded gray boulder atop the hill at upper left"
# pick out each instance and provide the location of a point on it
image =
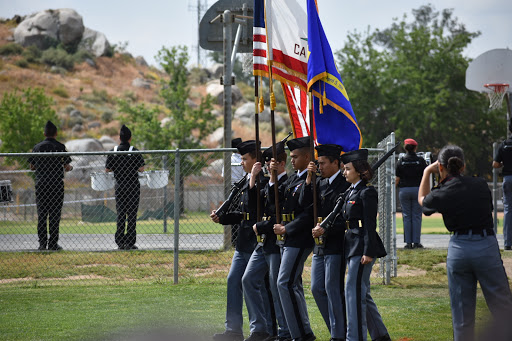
(46, 28)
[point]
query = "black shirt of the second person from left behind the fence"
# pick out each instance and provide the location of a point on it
(126, 166)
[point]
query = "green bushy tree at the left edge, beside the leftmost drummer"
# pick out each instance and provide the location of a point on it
(23, 115)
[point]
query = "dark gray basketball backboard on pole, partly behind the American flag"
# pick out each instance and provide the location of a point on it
(211, 34)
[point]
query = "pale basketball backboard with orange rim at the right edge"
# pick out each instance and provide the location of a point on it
(491, 67)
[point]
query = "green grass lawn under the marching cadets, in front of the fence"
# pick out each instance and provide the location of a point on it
(413, 307)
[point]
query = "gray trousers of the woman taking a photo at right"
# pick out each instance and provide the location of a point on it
(473, 258)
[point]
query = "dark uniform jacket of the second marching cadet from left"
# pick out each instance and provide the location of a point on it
(266, 226)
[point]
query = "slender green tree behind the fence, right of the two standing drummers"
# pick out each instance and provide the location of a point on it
(186, 126)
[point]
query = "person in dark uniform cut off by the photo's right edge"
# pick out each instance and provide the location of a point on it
(503, 158)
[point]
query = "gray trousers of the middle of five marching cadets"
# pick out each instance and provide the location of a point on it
(291, 291)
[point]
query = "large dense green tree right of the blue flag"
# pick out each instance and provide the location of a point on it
(410, 78)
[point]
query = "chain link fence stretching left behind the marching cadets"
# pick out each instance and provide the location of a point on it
(171, 200)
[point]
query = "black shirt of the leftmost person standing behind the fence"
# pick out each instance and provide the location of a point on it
(49, 168)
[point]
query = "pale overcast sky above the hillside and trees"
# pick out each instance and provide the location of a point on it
(149, 25)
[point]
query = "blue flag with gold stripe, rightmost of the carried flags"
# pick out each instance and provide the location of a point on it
(335, 121)
